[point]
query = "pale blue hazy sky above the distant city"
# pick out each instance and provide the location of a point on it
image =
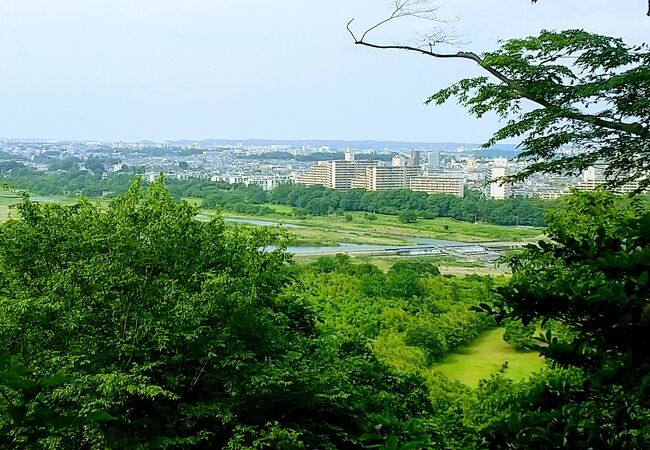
(279, 69)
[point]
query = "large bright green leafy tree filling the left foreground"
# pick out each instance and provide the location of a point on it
(146, 328)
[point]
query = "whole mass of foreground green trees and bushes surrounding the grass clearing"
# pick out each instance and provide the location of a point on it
(138, 326)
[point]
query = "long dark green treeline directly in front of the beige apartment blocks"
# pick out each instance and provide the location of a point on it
(317, 200)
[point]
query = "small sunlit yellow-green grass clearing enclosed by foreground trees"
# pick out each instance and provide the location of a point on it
(485, 357)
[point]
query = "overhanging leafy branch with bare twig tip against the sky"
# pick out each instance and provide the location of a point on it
(598, 103)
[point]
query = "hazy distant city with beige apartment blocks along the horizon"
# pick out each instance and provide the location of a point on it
(448, 168)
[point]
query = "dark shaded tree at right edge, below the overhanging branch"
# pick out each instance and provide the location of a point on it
(593, 281)
